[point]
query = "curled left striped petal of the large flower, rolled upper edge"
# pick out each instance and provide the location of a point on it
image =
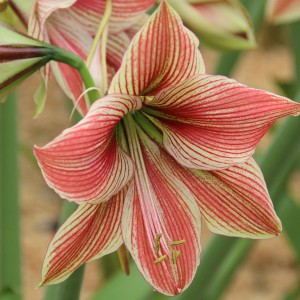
(84, 163)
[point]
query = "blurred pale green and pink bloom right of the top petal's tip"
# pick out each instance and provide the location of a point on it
(223, 24)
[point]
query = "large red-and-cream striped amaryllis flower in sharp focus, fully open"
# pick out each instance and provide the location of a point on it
(167, 145)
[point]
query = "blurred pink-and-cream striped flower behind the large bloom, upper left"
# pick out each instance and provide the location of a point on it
(72, 25)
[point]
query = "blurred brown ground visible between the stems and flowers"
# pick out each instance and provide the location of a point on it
(269, 271)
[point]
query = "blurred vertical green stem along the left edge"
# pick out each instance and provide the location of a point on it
(10, 265)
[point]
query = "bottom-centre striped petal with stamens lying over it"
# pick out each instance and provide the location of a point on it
(161, 222)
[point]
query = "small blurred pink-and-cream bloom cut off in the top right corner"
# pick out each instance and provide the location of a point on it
(283, 11)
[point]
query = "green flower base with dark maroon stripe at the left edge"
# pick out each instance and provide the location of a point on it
(20, 56)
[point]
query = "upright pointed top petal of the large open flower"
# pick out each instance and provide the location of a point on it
(162, 53)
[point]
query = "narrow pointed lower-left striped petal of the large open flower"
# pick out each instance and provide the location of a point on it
(90, 232)
